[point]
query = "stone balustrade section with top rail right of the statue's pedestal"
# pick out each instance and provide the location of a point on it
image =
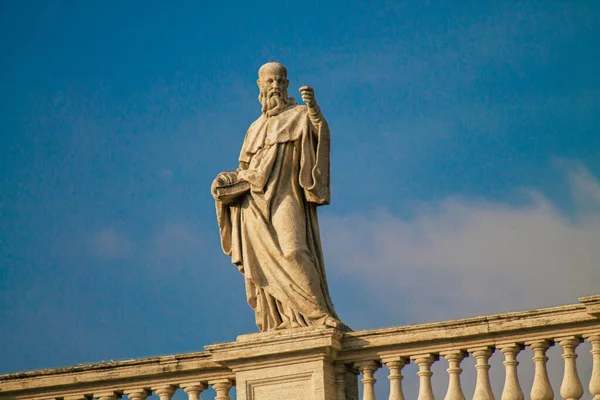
(509, 333)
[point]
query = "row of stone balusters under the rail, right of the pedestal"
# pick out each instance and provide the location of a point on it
(571, 387)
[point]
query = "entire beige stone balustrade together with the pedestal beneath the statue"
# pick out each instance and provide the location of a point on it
(323, 362)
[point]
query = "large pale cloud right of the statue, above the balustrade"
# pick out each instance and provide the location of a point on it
(462, 257)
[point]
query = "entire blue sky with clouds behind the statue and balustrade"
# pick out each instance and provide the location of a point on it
(465, 163)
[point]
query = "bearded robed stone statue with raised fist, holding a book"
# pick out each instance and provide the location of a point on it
(267, 208)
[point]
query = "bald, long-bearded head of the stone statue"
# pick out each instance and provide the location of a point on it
(272, 84)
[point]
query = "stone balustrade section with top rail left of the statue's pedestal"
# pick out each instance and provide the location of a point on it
(137, 379)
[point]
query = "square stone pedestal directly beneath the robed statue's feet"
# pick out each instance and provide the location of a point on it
(289, 364)
